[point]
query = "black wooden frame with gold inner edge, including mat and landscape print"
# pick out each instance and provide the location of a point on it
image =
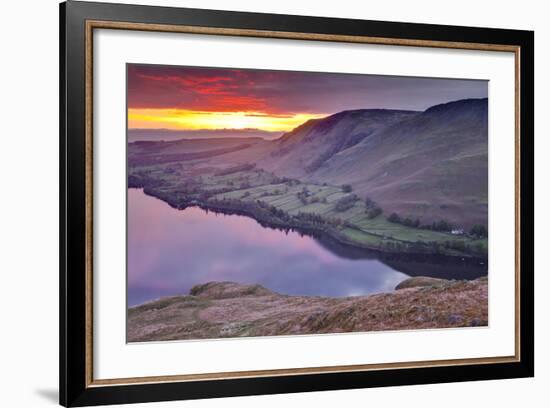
(257, 203)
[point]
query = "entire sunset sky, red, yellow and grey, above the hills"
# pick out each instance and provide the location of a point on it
(193, 98)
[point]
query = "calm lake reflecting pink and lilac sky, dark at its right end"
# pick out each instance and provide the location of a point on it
(170, 251)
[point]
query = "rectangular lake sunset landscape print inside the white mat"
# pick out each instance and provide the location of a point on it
(265, 203)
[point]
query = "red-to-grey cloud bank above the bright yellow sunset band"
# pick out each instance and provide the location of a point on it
(286, 92)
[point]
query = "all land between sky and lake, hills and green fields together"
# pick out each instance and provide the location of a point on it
(391, 181)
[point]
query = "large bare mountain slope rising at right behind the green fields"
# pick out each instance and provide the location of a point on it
(431, 165)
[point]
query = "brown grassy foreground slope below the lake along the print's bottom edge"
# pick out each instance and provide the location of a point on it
(227, 309)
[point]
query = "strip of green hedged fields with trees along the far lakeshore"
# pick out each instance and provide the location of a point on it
(295, 197)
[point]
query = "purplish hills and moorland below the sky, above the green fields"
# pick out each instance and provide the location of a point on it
(427, 166)
